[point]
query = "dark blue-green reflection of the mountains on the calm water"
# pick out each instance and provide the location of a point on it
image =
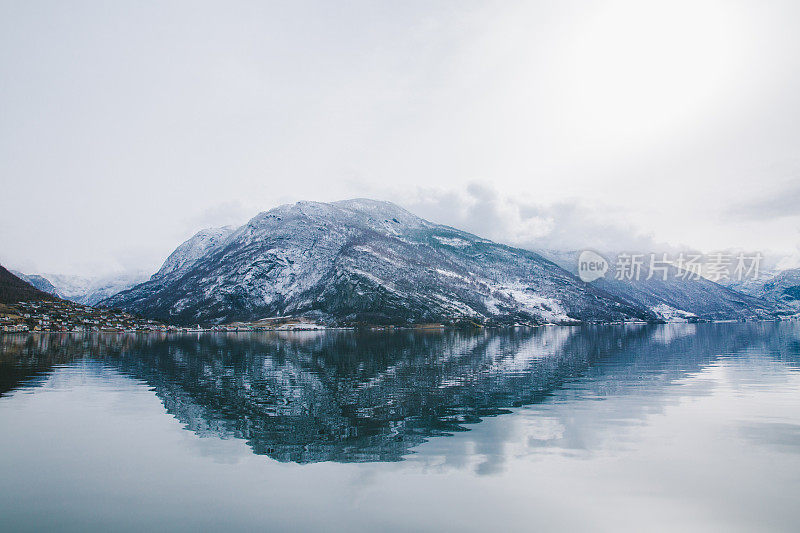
(359, 397)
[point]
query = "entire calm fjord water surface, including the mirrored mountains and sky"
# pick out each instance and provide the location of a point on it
(602, 428)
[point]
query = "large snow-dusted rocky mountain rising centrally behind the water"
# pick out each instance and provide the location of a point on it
(363, 261)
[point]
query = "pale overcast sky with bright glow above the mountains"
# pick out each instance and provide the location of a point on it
(125, 127)
